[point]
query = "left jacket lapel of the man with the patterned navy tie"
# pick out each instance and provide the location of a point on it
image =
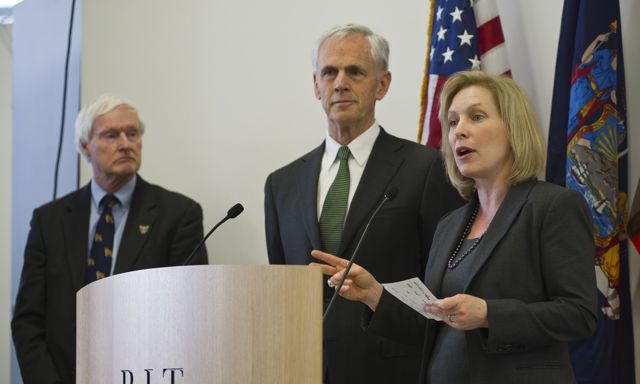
(75, 225)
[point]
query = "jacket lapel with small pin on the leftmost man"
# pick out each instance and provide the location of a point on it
(140, 220)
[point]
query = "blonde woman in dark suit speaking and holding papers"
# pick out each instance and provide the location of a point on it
(514, 266)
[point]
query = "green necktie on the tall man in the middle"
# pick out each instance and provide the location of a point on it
(334, 209)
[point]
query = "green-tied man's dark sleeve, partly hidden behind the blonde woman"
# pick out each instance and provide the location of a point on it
(439, 198)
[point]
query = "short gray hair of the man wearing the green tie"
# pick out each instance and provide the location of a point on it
(379, 45)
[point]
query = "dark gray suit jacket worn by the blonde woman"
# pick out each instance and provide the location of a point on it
(534, 267)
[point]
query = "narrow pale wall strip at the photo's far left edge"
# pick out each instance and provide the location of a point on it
(6, 56)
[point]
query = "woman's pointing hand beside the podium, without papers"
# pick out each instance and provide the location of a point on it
(360, 285)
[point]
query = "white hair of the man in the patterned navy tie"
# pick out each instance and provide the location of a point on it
(105, 103)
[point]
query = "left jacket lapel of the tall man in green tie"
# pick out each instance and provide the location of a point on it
(307, 184)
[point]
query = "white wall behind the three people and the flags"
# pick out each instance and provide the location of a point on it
(225, 89)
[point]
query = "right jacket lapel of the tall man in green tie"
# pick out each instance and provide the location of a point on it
(382, 165)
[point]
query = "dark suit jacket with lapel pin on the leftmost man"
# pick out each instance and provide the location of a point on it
(44, 321)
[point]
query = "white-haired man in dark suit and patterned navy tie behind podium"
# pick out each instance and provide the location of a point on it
(151, 227)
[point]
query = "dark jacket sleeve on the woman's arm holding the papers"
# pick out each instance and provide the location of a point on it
(569, 313)
